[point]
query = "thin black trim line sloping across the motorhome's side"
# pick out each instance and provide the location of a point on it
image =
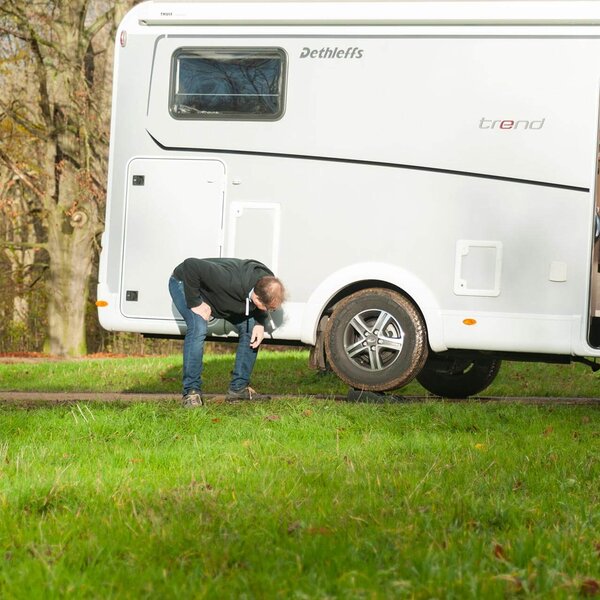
(372, 163)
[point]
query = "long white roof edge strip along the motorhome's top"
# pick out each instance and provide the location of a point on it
(411, 12)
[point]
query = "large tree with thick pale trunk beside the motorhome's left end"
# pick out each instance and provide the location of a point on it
(63, 111)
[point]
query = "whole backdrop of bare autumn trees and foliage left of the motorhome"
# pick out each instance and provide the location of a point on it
(56, 73)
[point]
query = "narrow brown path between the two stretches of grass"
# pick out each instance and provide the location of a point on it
(29, 398)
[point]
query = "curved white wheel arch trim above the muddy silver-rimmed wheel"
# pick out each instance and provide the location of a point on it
(348, 280)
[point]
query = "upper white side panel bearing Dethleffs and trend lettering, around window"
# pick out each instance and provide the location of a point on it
(485, 81)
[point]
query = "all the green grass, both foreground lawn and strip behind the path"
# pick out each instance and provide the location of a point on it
(306, 498)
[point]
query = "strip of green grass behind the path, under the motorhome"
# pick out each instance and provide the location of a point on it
(276, 372)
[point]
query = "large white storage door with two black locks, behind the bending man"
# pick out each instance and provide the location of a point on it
(174, 210)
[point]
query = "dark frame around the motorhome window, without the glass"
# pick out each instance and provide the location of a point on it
(252, 52)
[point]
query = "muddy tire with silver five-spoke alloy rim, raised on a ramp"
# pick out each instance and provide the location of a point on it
(375, 340)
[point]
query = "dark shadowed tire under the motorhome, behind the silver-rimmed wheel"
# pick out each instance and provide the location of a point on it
(458, 377)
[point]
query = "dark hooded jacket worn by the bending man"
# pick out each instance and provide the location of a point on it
(223, 283)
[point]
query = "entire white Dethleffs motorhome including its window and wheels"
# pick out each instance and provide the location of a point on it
(421, 175)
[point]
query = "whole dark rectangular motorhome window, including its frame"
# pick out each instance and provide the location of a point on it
(214, 83)
